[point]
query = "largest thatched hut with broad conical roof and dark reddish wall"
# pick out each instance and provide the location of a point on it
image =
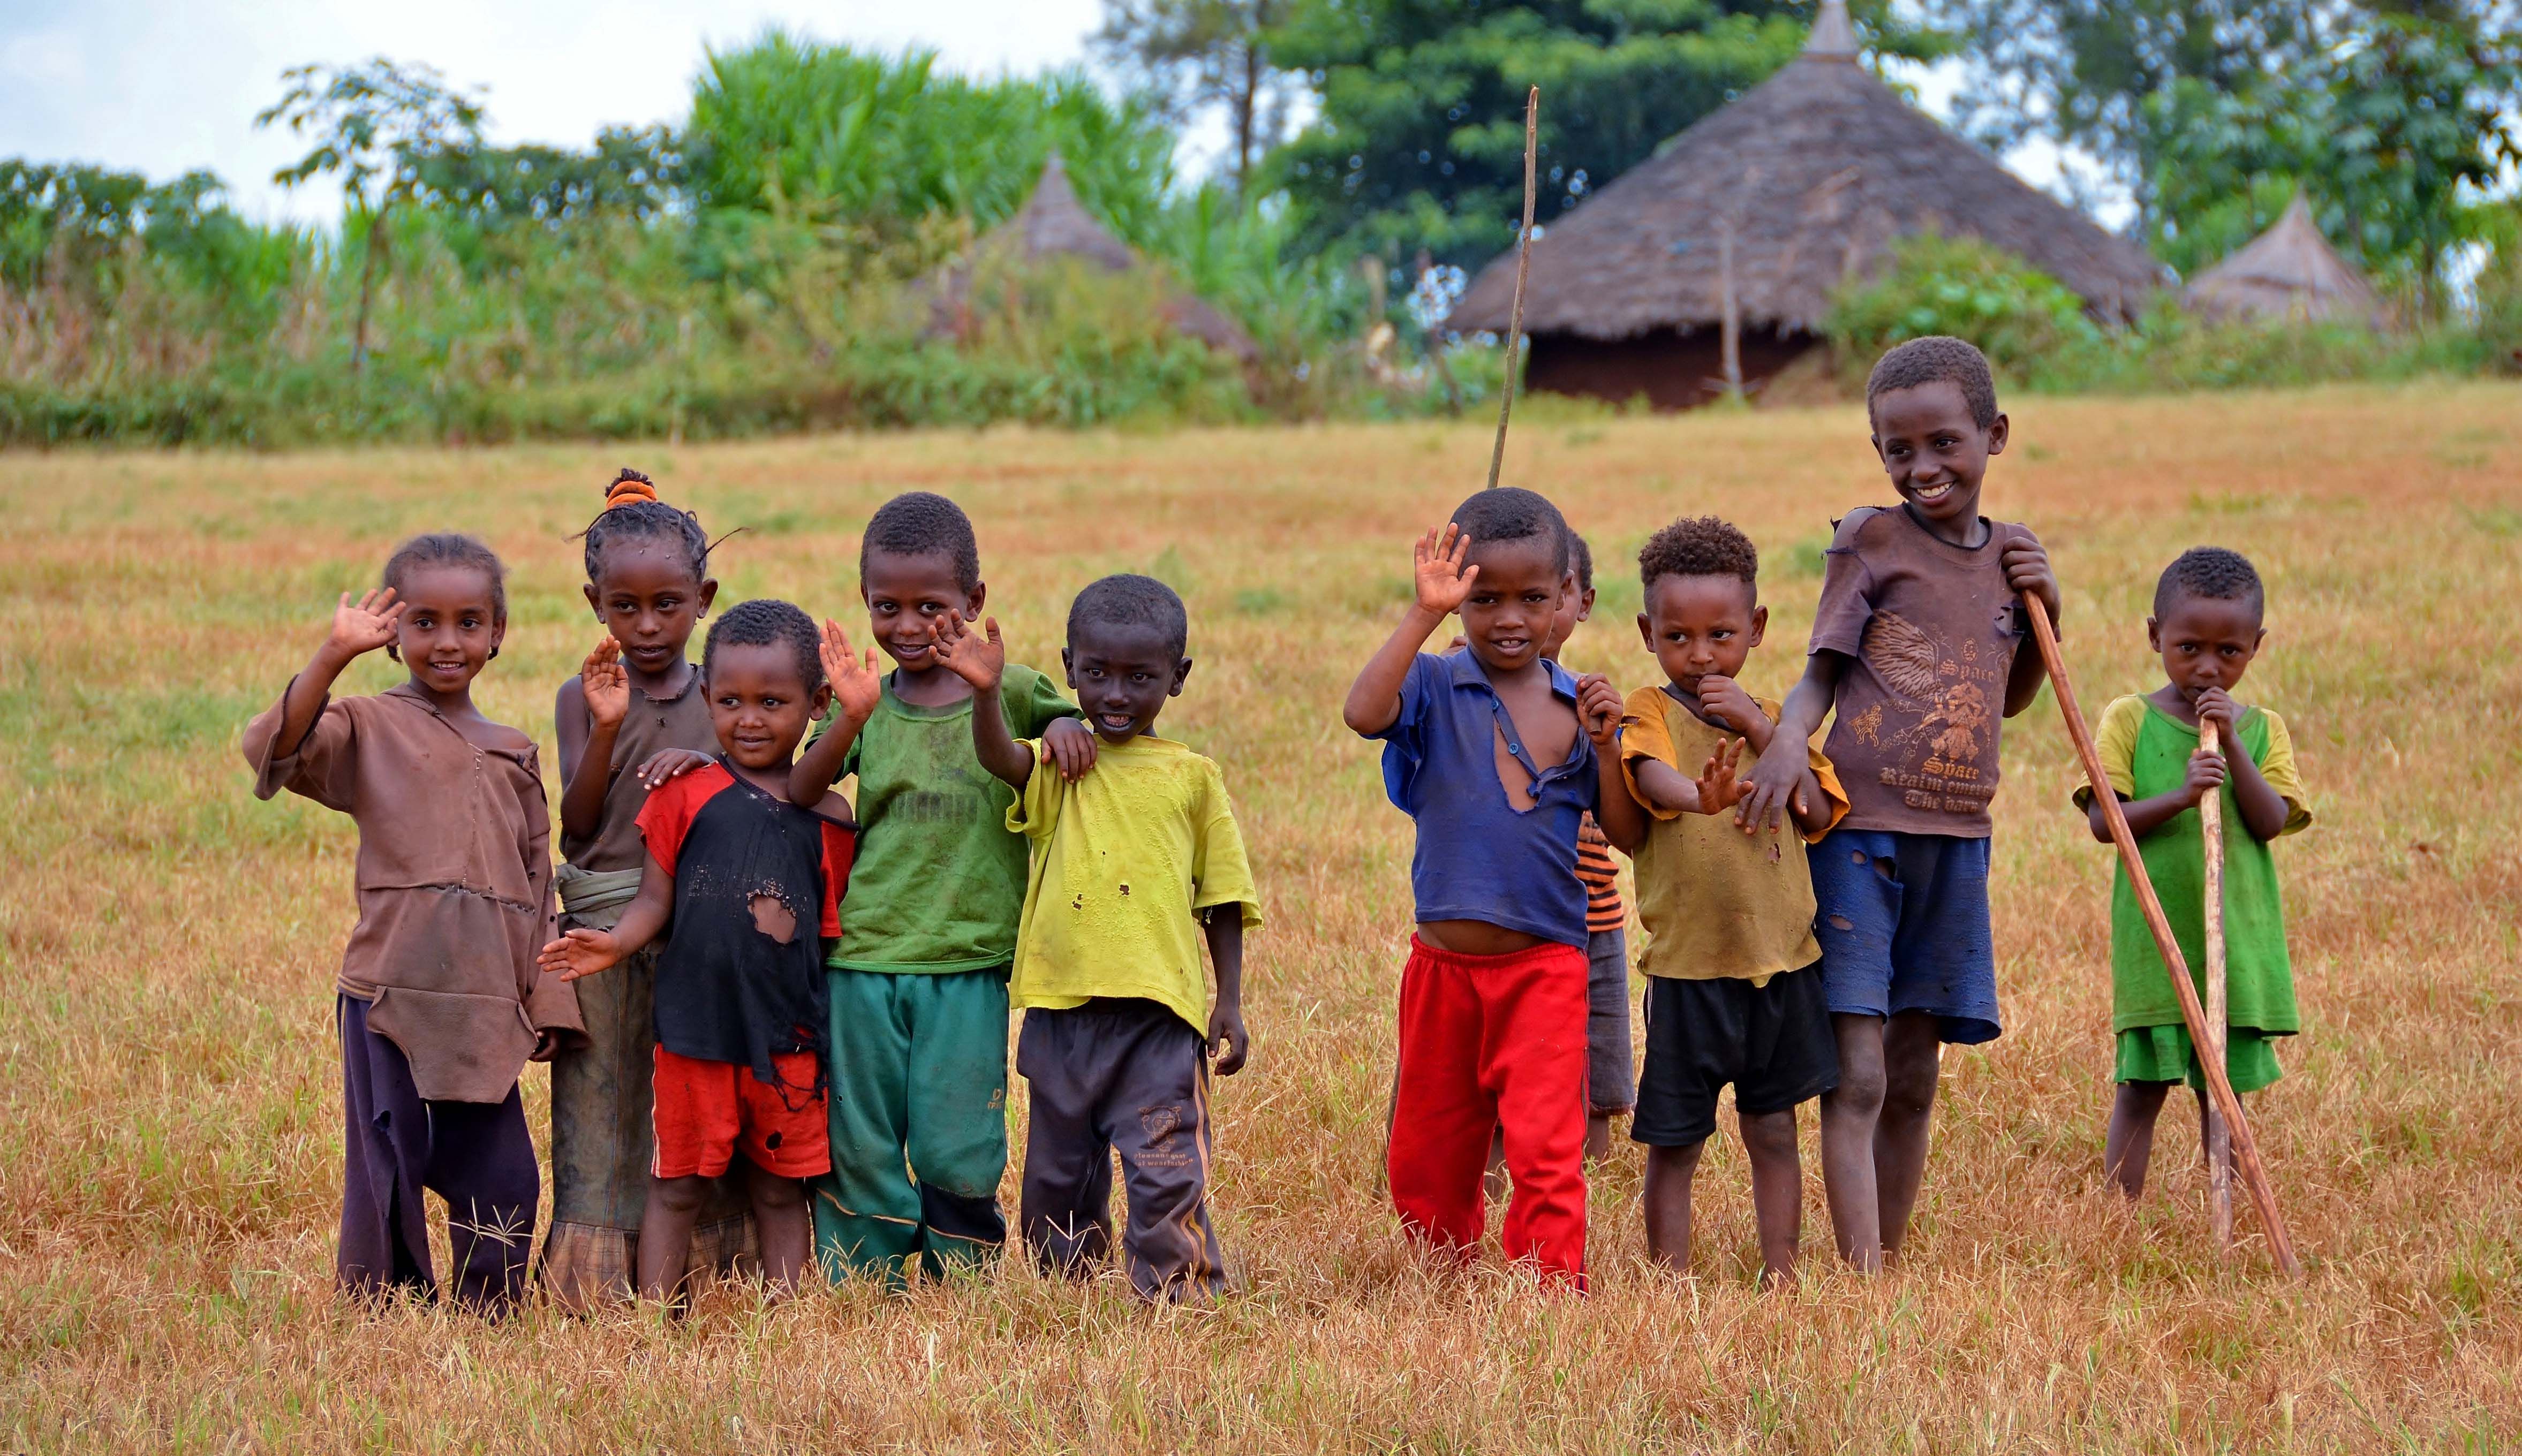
(1749, 221)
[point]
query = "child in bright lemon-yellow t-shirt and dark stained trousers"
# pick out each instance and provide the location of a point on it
(1134, 867)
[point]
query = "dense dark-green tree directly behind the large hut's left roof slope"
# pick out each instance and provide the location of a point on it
(1421, 130)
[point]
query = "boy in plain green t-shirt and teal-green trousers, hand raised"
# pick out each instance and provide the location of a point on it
(929, 922)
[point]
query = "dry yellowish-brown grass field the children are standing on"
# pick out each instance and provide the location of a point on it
(168, 945)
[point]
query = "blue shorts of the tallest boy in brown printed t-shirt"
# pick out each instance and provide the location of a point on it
(1903, 927)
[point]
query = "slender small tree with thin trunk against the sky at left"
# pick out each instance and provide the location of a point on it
(375, 127)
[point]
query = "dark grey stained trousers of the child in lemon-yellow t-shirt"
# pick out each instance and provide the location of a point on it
(1119, 1076)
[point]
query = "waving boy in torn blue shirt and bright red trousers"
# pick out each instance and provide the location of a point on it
(1494, 753)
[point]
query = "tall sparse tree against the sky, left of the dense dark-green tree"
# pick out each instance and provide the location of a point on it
(1199, 54)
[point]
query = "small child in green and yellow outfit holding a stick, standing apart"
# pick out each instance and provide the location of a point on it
(2208, 630)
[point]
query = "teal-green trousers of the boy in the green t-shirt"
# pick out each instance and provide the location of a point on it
(919, 1122)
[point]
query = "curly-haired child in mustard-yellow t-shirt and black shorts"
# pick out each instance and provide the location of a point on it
(1734, 980)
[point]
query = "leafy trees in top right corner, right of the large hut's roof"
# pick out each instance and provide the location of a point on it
(2193, 107)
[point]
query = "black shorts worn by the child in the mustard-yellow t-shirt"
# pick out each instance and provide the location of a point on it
(1774, 1043)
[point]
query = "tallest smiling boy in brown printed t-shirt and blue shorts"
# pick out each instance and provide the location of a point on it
(1915, 652)
